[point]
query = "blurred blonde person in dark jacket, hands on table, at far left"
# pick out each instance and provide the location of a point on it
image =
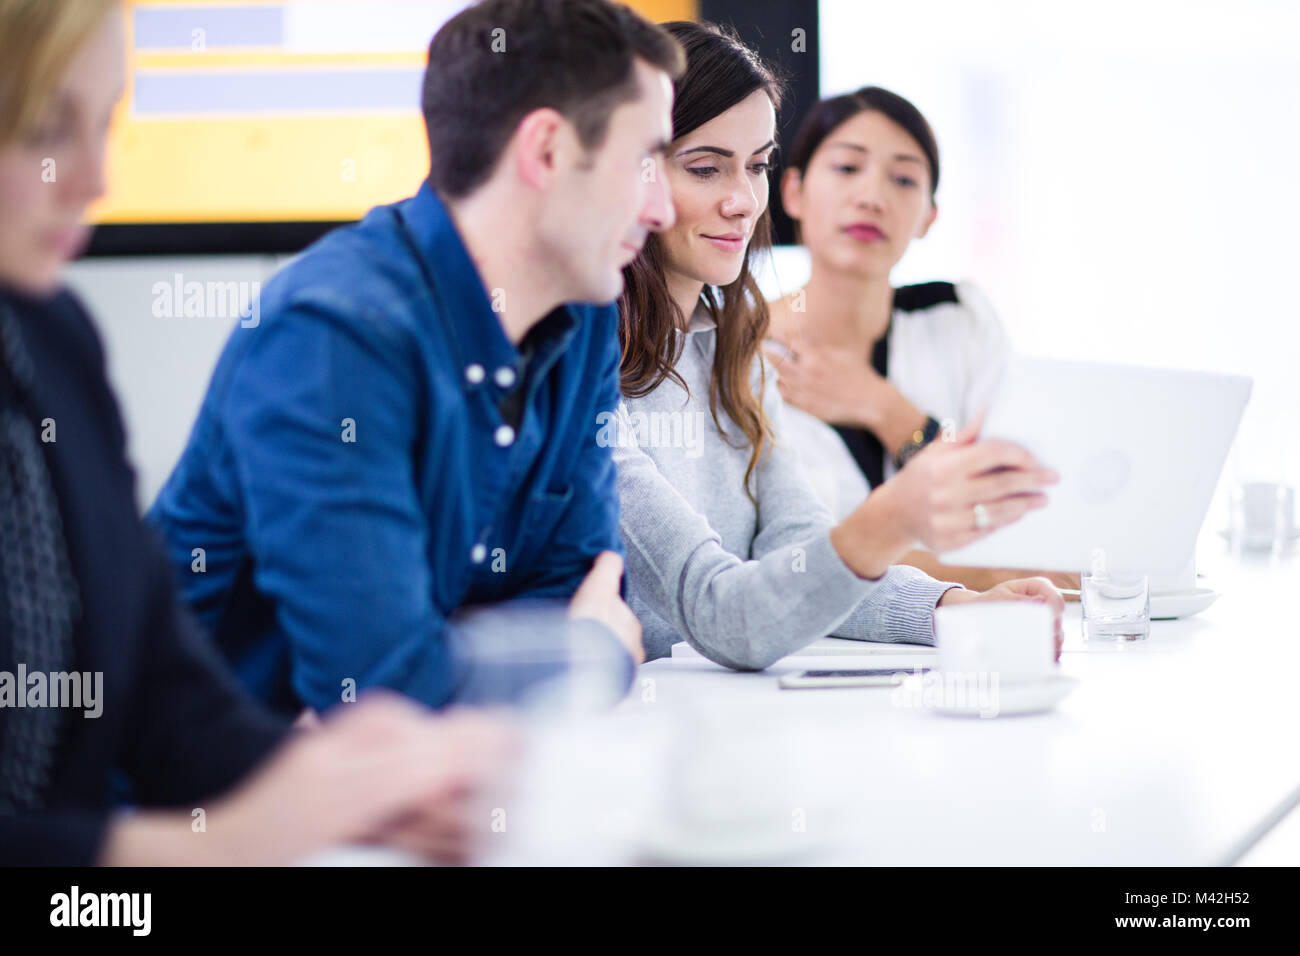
(85, 591)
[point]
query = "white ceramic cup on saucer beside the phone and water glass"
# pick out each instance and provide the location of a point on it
(1016, 641)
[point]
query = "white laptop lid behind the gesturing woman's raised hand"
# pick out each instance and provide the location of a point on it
(1139, 452)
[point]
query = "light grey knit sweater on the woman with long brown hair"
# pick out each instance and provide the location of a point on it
(744, 585)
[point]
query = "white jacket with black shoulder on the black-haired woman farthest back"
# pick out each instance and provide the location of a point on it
(947, 352)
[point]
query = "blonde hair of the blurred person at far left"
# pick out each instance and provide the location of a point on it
(38, 41)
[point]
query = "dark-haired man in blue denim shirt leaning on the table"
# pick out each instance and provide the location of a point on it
(411, 429)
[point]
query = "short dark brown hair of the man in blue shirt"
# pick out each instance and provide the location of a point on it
(500, 60)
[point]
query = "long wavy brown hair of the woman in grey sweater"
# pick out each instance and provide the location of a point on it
(721, 72)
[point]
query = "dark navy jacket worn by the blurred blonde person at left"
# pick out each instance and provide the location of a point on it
(172, 721)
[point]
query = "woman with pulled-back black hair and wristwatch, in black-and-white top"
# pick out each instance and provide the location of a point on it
(885, 367)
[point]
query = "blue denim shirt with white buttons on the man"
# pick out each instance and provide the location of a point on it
(350, 483)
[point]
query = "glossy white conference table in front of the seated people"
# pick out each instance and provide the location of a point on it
(1176, 751)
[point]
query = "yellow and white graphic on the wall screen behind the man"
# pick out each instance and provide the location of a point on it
(276, 113)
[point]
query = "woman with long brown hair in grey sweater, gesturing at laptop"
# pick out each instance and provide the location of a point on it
(729, 547)
